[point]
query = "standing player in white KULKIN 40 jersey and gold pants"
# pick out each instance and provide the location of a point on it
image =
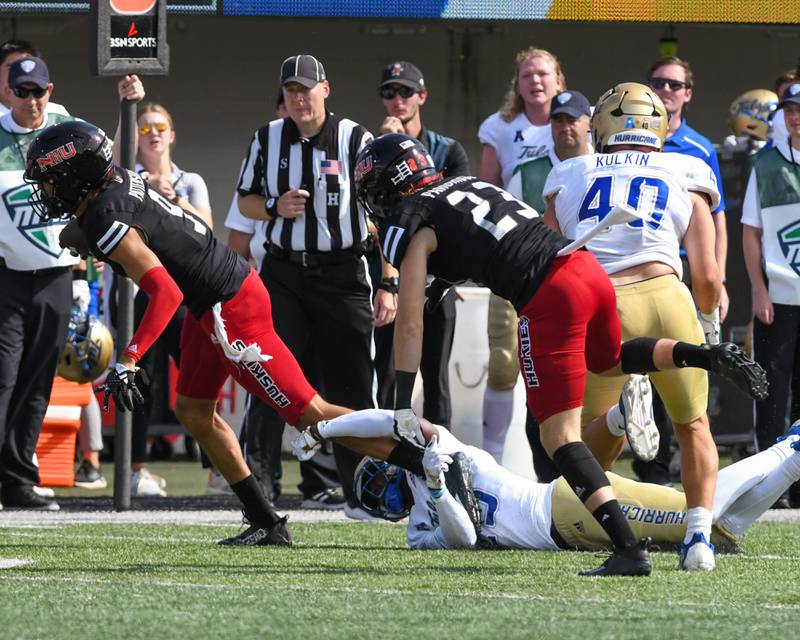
(677, 192)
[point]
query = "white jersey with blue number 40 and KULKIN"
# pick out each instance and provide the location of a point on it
(587, 188)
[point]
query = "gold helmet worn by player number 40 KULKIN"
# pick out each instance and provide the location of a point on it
(629, 113)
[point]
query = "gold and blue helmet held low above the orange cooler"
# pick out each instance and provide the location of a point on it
(88, 351)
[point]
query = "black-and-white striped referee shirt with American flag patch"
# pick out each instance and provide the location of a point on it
(280, 159)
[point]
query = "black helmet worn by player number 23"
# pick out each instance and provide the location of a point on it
(389, 167)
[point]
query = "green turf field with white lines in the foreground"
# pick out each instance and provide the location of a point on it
(359, 580)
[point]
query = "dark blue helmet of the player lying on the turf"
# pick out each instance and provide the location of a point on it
(380, 489)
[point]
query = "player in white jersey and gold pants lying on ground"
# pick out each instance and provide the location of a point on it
(464, 499)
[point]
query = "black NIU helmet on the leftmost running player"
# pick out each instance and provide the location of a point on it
(71, 158)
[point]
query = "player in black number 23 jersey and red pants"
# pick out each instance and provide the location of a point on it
(466, 229)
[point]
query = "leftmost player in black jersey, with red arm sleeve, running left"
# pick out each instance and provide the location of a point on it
(173, 256)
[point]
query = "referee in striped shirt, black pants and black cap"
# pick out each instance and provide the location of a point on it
(298, 175)
